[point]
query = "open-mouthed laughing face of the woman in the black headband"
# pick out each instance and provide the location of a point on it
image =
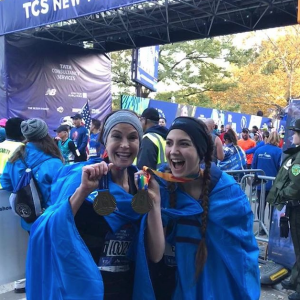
(181, 154)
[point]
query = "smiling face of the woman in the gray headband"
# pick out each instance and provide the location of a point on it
(122, 145)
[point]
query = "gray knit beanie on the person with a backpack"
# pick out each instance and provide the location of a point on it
(34, 129)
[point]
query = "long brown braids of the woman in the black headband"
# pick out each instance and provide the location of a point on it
(201, 254)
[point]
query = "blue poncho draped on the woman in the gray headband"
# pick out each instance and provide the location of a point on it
(59, 264)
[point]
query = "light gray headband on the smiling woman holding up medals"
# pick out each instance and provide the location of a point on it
(122, 116)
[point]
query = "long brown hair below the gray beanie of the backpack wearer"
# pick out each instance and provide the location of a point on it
(46, 145)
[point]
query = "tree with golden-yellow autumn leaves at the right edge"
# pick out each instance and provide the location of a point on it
(271, 79)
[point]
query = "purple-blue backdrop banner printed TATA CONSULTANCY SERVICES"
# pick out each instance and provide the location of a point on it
(52, 81)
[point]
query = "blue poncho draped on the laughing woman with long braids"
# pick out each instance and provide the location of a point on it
(231, 271)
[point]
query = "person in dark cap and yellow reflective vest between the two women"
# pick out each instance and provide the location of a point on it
(152, 150)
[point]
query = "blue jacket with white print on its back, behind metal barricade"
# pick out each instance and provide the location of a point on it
(267, 158)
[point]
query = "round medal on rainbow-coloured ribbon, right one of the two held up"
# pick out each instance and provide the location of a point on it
(141, 202)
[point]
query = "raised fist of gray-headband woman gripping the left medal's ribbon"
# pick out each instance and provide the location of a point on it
(91, 175)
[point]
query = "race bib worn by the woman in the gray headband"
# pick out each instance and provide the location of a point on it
(114, 256)
